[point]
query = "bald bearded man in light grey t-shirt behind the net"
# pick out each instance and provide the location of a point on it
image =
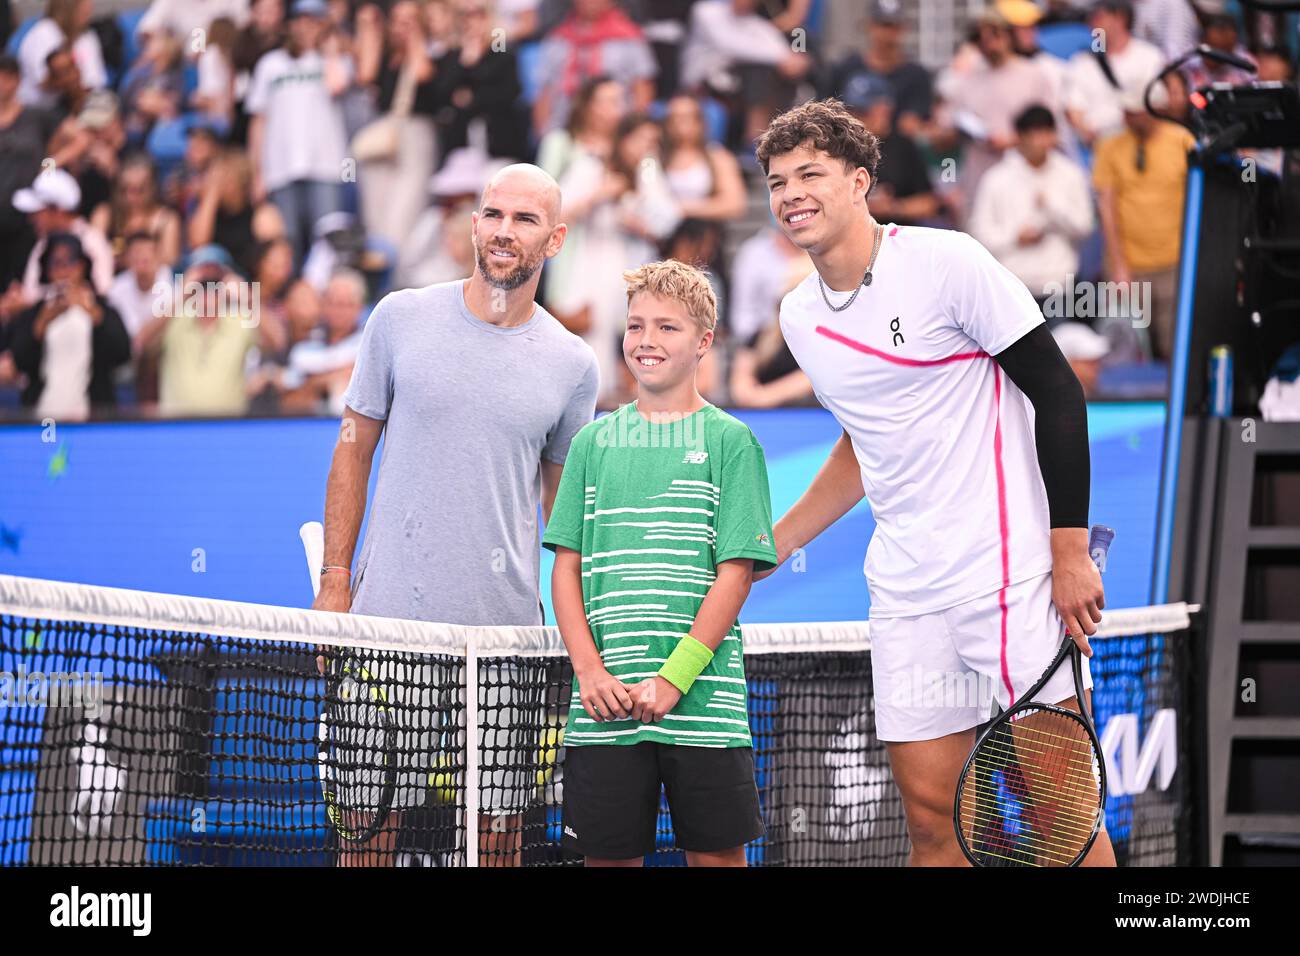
(478, 392)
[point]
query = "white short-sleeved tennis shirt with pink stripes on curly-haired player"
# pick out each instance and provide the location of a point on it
(943, 438)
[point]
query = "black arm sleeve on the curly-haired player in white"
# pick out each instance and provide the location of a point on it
(1061, 423)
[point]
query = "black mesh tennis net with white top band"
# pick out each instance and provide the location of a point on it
(141, 729)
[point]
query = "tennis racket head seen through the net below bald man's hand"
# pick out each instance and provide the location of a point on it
(358, 750)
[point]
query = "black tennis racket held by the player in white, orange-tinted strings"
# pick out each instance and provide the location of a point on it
(1034, 790)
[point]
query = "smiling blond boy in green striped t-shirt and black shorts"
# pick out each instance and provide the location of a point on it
(661, 520)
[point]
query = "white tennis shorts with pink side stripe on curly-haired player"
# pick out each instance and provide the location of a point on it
(941, 673)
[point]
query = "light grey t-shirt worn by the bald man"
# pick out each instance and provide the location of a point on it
(471, 412)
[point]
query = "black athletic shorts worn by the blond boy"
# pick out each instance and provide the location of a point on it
(612, 798)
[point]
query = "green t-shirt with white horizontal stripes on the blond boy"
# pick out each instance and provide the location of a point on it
(653, 508)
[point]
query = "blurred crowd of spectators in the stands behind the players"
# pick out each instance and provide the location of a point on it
(202, 200)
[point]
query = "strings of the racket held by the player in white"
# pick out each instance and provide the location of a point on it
(1033, 793)
